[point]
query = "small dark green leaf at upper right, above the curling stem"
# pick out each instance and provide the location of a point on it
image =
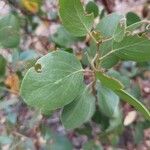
(132, 18)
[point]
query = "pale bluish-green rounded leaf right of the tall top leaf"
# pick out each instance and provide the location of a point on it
(108, 24)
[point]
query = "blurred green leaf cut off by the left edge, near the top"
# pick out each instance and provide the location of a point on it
(9, 31)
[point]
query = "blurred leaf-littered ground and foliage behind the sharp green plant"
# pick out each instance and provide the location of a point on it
(39, 32)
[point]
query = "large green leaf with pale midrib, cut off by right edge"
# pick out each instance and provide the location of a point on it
(133, 48)
